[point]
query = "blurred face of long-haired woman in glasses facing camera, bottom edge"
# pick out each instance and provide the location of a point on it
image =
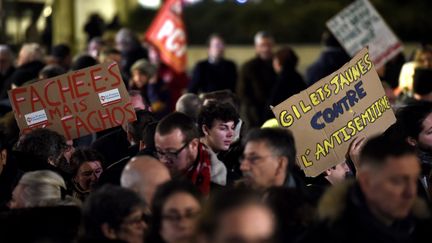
(179, 216)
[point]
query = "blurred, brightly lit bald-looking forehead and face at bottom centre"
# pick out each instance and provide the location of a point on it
(251, 223)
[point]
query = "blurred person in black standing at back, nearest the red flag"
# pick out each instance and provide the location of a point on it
(215, 72)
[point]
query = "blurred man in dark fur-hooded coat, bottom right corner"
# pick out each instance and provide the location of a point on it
(382, 205)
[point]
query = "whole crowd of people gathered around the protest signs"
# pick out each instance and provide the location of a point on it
(199, 166)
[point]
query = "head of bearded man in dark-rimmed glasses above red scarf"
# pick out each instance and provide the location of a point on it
(177, 141)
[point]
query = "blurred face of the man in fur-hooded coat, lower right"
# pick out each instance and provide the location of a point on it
(390, 191)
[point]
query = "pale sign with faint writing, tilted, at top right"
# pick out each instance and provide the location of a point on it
(360, 25)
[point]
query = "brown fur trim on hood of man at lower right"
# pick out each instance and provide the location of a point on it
(333, 203)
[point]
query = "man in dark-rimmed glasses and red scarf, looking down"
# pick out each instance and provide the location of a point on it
(178, 147)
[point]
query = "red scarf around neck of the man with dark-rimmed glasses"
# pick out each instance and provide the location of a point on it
(199, 173)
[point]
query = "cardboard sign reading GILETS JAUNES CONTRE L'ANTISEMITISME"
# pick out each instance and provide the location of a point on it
(328, 115)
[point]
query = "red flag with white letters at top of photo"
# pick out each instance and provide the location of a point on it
(168, 34)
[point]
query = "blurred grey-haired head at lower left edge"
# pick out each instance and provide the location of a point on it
(38, 189)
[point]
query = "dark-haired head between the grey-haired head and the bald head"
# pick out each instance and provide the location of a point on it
(88, 164)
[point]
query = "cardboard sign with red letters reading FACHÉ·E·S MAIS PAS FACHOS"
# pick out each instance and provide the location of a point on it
(76, 103)
